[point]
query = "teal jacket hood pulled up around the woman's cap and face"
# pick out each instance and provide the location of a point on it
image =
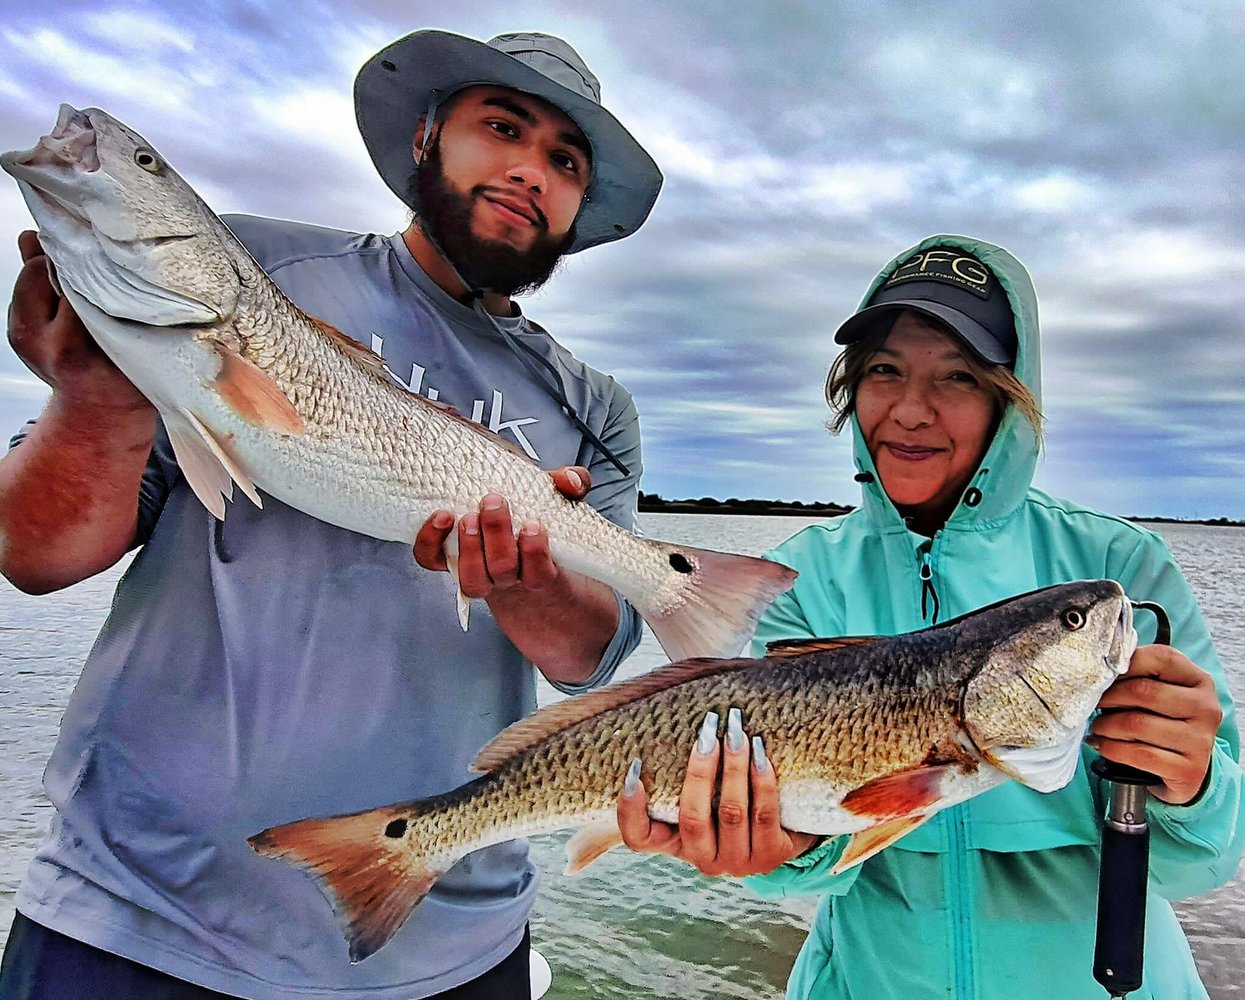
(1007, 471)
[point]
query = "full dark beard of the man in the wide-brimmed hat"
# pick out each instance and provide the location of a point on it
(445, 216)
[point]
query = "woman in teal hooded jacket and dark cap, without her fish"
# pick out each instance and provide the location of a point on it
(995, 897)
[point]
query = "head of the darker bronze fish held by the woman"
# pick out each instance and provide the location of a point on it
(1050, 659)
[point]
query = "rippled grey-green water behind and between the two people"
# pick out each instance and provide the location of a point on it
(632, 927)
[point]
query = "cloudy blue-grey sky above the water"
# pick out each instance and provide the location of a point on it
(804, 145)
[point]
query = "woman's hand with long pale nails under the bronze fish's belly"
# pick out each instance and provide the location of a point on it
(744, 836)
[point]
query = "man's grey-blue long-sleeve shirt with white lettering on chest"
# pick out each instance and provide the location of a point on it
(275, 667)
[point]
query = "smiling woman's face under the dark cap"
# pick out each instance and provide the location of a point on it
(927, 419)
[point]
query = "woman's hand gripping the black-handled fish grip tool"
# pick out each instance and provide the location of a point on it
(1162, 717)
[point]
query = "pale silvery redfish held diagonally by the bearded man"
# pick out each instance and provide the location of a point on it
(255, 392)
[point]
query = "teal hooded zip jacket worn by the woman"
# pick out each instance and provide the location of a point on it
(995, 897)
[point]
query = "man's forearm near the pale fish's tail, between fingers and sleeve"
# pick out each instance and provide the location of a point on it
(563, 630)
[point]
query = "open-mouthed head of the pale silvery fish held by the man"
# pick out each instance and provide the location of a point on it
(125, 231)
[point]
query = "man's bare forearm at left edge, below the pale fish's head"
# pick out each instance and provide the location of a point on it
(69, 494)
